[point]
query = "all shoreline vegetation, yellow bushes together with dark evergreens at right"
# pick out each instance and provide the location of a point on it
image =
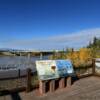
(82, 57)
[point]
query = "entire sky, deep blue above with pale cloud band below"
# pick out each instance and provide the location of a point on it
(48, 24)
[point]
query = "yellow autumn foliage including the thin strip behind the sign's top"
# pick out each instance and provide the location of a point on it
(81, 58)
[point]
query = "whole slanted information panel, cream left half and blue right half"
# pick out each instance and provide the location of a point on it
(51, 69)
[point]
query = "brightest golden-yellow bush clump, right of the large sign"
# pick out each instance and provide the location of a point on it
(81, 57)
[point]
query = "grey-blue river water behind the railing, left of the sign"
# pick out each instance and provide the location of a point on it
(10, 66)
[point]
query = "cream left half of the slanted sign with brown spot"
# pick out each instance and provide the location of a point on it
(46, 69)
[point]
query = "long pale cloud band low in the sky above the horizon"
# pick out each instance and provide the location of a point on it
(75, 40)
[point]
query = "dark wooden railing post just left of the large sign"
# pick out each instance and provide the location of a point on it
(28, 85)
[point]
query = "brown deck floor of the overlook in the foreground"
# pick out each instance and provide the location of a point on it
(83, 89)
